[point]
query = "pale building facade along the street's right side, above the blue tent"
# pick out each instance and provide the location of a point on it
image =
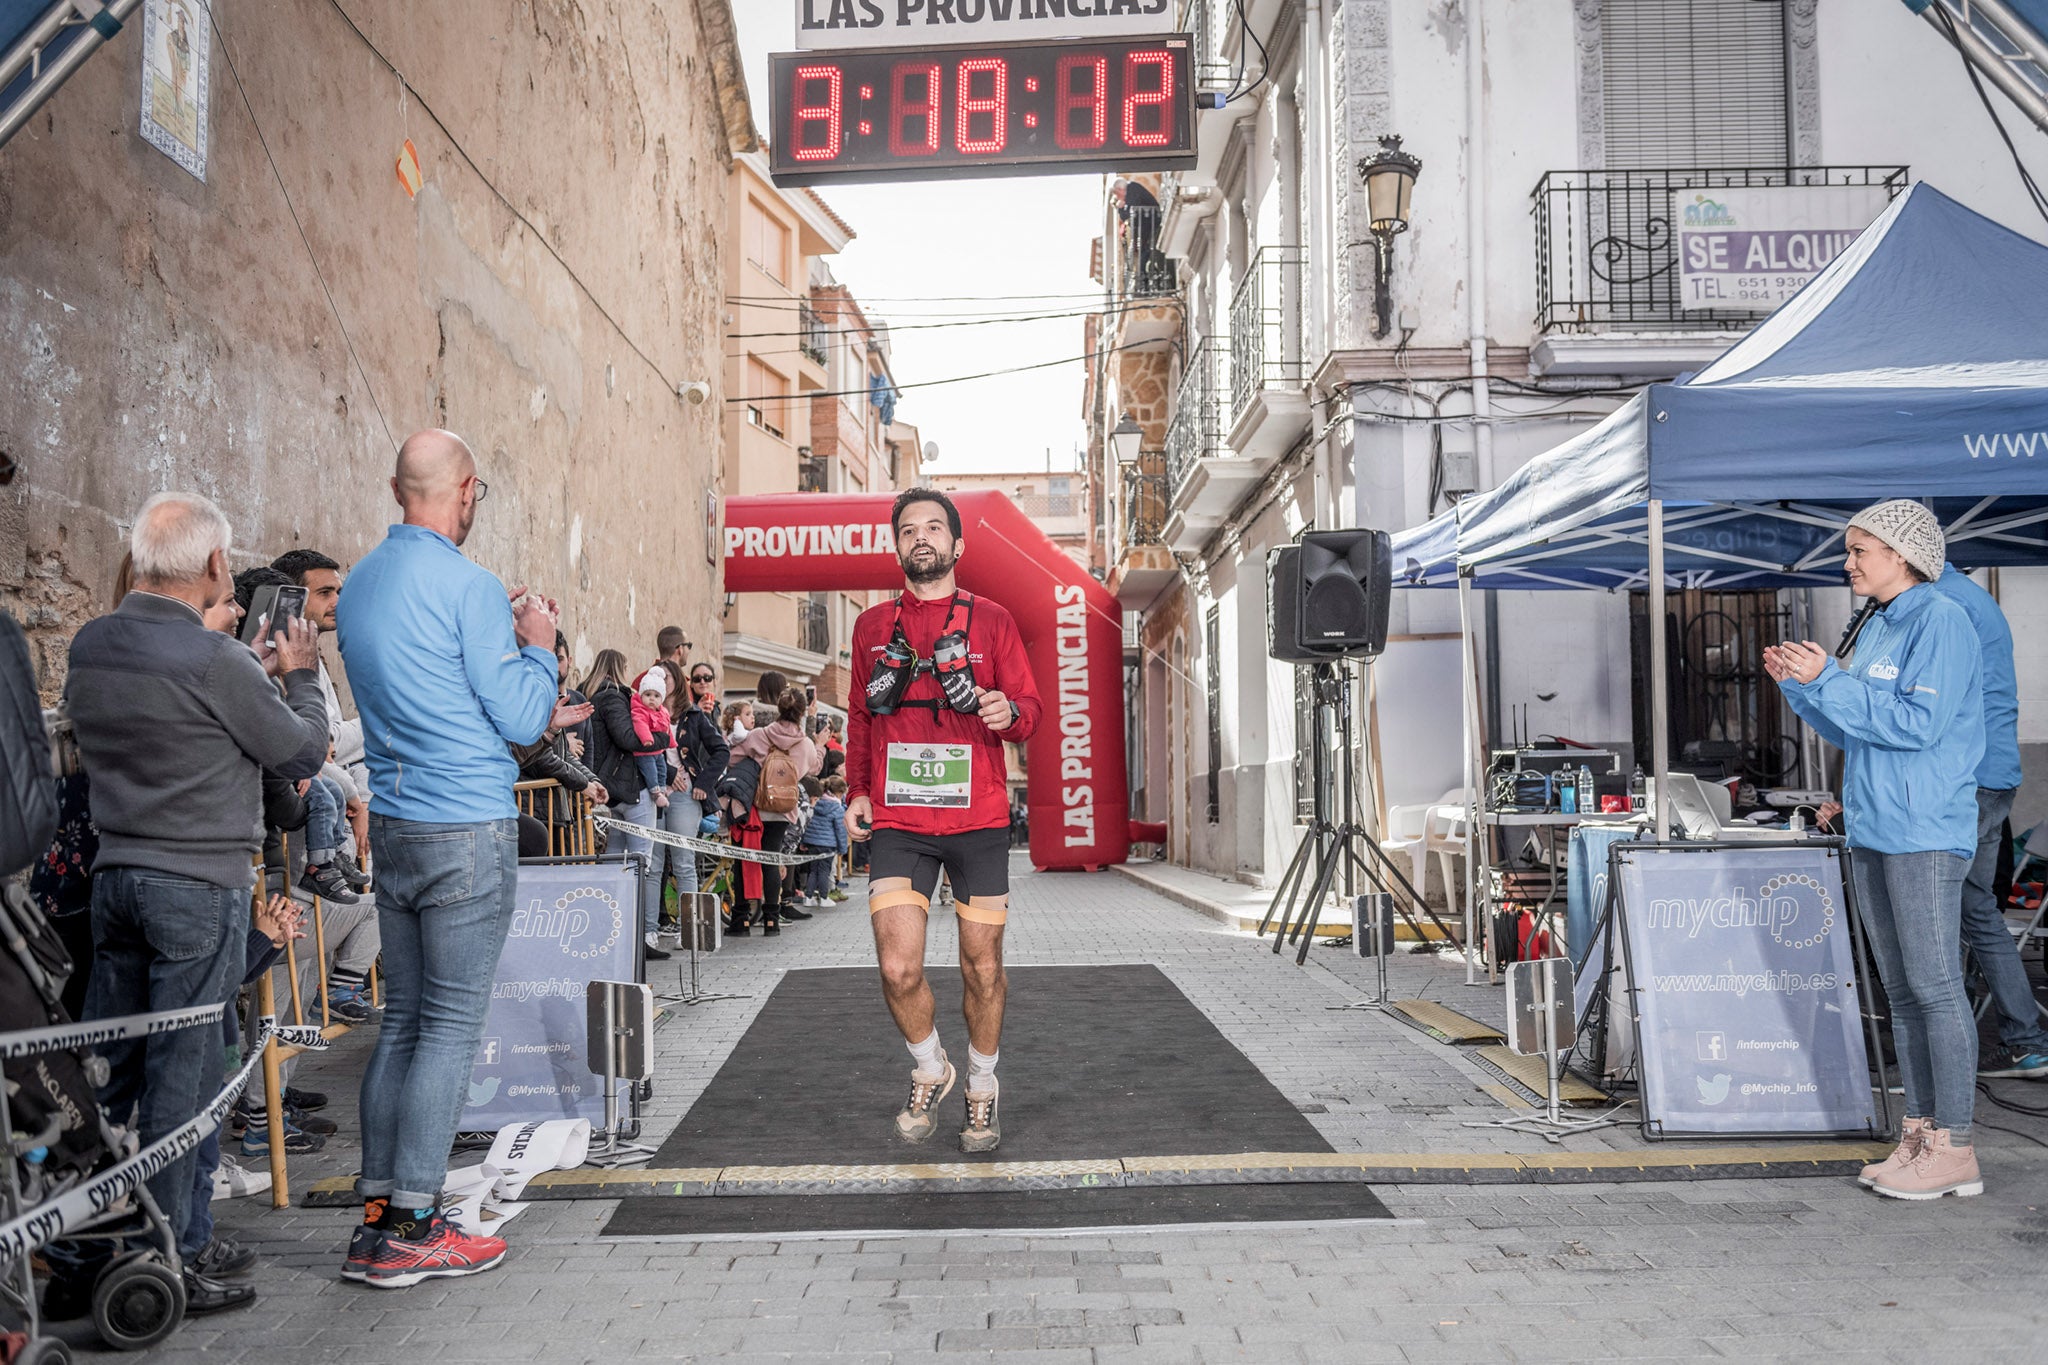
(1531, 294)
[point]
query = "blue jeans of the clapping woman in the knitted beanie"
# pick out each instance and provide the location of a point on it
(1912, 908)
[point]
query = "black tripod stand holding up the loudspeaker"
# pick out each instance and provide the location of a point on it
(1336, 844)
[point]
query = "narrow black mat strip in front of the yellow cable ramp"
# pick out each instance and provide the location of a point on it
(1041, 1208)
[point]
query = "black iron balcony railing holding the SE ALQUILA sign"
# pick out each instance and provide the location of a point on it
(1607, 253)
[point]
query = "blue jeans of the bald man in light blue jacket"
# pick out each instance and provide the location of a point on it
(445, 899)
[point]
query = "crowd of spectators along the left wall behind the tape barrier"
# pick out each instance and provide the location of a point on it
(216, 791)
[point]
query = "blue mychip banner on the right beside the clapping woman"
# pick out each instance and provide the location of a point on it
(1746, 994)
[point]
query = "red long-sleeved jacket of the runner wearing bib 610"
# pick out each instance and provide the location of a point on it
(1000, 666)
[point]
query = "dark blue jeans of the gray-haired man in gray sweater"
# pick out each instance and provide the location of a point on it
(165, 942)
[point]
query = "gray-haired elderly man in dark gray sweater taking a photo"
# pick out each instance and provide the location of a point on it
(175, 728)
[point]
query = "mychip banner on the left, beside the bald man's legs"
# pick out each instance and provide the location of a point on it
(572, 926)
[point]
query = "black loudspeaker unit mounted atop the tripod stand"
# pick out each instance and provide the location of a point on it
(1330, 595)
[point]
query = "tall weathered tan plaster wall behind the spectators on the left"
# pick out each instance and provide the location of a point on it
(546, 292)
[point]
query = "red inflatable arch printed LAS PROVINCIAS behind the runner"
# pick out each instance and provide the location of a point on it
(1070, 623)
